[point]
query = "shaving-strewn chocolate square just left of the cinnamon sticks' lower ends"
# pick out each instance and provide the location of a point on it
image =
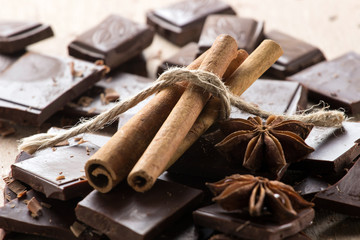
(59, 173)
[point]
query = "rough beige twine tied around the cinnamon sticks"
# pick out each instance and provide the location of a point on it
(205, 80)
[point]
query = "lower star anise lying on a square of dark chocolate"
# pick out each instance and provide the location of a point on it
(259, 195)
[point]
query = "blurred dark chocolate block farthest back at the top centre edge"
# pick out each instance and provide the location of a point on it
(181, 22)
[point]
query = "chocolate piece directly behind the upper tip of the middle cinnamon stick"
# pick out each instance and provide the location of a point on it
(247, 32)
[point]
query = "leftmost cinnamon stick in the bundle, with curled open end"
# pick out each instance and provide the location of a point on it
(112, 162)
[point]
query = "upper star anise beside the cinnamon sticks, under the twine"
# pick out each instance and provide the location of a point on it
(268, 145)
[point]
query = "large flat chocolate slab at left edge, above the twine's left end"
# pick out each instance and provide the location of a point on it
(42, 85)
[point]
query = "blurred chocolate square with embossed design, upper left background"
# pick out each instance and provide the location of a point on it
(115, 40)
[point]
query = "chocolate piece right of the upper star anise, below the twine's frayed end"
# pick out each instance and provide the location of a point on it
(335, 148)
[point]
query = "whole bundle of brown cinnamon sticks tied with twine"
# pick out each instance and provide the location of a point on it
(175, 118)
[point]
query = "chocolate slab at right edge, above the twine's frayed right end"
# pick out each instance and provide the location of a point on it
(336, 82)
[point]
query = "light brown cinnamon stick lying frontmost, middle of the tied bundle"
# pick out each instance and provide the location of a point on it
(181, 119)
